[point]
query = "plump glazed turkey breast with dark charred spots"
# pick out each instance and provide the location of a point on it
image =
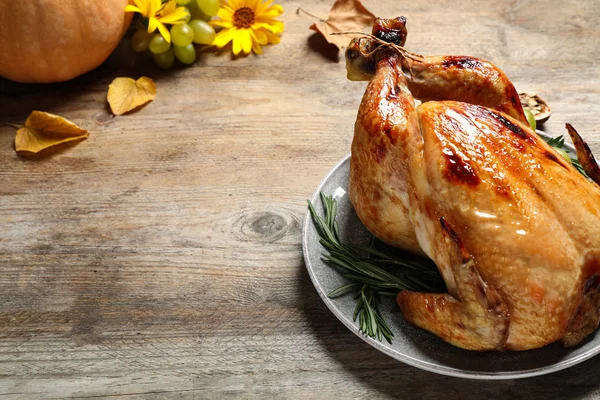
(524, 213)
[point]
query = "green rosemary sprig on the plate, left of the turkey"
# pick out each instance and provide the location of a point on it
(372, 273)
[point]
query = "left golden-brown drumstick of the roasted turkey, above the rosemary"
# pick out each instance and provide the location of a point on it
(377, 184)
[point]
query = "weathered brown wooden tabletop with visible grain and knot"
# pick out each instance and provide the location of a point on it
(161, 258)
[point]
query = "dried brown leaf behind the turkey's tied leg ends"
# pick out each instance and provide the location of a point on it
(344, 16)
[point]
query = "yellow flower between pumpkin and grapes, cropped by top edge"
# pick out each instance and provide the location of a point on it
(159, 14)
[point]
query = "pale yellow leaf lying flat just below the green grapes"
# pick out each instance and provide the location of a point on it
(126, 94)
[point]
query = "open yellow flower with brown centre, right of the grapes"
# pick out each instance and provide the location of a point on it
(249, 24)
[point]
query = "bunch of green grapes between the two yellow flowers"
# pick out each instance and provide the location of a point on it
(183, 36)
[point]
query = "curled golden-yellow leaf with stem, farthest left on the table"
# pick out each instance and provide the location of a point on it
(43, 130)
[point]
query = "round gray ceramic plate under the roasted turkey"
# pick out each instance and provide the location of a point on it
(412, 345)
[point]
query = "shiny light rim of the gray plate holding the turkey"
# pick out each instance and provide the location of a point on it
(412, 361)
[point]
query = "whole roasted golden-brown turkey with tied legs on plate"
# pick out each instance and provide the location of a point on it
(513, 227)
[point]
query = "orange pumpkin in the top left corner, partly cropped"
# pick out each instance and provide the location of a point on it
(57, 40)
